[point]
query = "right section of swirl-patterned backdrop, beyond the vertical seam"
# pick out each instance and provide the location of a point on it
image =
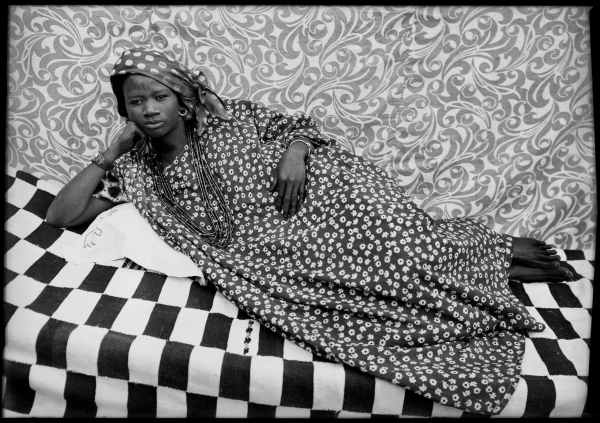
(497, 120)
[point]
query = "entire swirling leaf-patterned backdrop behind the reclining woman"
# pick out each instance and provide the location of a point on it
(483, 112)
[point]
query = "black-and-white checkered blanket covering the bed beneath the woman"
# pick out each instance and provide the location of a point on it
(96, 340)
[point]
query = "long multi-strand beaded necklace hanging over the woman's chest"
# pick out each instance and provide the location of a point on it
(210, 194)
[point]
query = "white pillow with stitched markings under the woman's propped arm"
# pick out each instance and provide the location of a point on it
(121, 232)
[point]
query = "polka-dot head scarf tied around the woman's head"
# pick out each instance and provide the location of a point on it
(192, 86)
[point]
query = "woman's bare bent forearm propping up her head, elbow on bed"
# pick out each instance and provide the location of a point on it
(74, 198)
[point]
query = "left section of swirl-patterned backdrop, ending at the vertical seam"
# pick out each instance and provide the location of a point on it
(343, 65)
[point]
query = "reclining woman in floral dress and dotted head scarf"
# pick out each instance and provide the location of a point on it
(317, 244)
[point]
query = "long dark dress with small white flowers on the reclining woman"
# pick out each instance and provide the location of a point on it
(360, 275)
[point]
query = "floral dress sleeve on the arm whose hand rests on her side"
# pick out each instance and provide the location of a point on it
(275, 126)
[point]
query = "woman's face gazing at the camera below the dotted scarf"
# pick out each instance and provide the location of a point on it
(151, 105)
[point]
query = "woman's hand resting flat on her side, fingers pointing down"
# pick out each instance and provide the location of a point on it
(290, 180)
